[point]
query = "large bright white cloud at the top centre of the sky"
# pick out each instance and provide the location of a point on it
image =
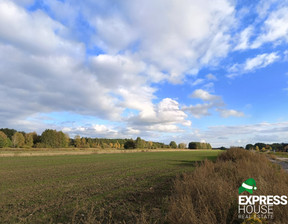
(171, 36)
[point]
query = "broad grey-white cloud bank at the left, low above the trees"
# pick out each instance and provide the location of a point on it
(45, 84)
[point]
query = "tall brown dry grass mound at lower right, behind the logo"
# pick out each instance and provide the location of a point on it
(209, 194)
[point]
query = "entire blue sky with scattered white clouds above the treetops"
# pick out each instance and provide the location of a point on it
(185, 70)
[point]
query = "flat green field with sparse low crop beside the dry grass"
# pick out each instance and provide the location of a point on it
(96, 188)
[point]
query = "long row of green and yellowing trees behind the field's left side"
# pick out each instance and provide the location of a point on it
(58, 139)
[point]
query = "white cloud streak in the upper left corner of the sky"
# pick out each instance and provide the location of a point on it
(34, 32)
